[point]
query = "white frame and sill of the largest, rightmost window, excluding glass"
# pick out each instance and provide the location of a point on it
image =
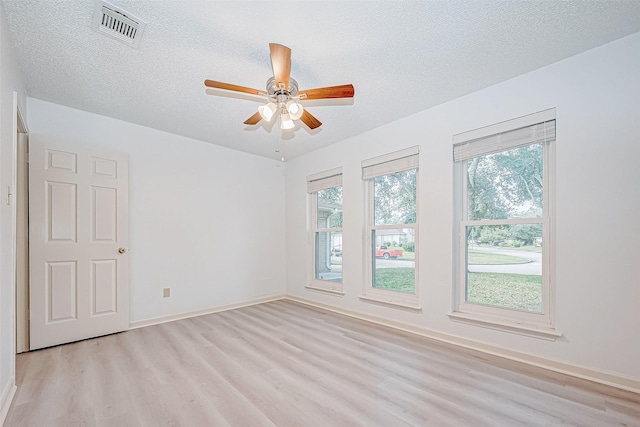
(541, 325)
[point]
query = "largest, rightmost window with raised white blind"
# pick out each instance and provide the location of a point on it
(504, 180)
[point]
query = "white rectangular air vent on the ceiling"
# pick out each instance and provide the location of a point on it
(115, 22)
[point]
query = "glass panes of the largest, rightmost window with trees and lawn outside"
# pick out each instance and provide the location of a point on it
(504, 260)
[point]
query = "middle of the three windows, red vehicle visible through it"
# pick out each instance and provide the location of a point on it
(392, 232)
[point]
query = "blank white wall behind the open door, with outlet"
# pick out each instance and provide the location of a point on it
(206, 221)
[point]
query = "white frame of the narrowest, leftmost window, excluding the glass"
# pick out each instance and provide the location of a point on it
(315, 183)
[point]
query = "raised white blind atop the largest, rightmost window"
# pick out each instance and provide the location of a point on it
(534, 134)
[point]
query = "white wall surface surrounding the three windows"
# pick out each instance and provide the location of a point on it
(597, 97)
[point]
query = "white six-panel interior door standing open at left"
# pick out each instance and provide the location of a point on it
(78, 225)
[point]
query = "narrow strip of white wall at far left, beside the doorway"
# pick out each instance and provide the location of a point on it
(10, 81)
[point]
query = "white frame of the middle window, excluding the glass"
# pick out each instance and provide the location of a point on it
(399, 161)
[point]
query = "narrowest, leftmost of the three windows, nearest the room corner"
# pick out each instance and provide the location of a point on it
(326, 226)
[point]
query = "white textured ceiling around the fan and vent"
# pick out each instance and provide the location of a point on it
(401, 56)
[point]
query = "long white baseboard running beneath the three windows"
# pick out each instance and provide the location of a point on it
(601, 377)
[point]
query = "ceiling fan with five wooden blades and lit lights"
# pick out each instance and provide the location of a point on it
(283, 94)
